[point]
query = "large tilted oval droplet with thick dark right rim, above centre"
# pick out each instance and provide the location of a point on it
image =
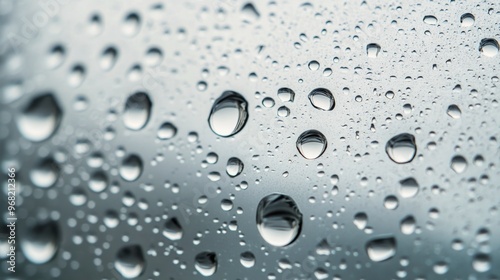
(229, 114)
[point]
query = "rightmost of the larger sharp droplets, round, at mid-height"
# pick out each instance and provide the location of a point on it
(401, 148)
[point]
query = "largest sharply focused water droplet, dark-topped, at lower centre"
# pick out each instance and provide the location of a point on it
(279, 220)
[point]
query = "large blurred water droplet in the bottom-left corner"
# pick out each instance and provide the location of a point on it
(41, 242)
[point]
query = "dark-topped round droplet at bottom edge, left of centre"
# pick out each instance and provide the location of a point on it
(130, 261)
